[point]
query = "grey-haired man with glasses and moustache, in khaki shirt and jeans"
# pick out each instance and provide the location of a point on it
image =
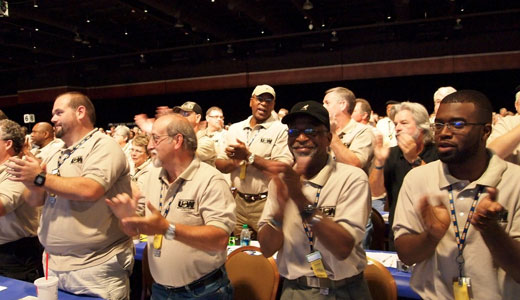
(189, 216)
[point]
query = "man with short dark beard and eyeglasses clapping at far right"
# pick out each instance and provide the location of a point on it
(458, 218)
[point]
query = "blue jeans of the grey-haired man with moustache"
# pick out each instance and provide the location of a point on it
(220, 289)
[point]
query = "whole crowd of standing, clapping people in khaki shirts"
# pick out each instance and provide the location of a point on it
(304, 180)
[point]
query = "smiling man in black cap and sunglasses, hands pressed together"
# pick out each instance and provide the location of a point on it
(315, 214)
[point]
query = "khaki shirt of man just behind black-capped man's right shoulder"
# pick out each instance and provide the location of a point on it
(358, 138)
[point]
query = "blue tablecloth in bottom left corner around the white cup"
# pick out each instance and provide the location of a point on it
(17, 289)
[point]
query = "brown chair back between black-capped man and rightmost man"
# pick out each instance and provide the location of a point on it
(380, 281)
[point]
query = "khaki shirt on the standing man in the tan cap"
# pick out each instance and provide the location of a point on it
(267, 140)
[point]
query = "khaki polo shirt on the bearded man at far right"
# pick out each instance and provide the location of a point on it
(433, 277)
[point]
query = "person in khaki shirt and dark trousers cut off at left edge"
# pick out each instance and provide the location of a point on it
(20, 250)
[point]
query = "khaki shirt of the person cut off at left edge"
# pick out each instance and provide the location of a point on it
(20, 219)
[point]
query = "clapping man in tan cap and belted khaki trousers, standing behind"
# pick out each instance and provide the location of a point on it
(254, 146)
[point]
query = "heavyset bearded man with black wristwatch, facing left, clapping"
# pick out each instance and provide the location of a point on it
(88, 251)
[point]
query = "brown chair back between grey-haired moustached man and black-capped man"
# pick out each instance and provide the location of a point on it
(252, 275)
